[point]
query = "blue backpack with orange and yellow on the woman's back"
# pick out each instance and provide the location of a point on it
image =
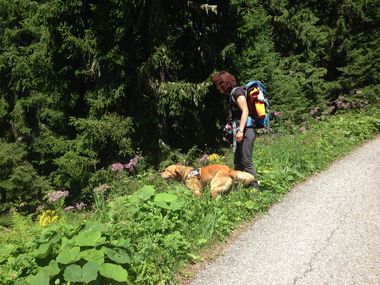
(262, 121)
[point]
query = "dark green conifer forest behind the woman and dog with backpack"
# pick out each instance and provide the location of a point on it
(84, 84)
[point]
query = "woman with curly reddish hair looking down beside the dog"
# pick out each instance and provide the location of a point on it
(243, 125)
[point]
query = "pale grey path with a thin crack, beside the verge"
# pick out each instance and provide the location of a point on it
(325, 231)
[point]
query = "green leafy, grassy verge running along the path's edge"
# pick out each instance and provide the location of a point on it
(161, 227)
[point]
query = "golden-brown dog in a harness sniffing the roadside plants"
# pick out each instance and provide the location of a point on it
(220, 177)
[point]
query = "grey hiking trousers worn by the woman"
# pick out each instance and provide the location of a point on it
(243, 152)
